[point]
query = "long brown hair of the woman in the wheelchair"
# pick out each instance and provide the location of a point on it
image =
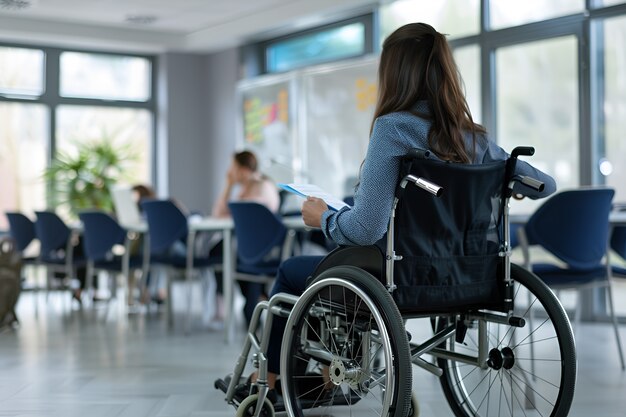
(416, 64)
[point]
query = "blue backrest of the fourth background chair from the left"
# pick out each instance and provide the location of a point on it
(166, 224)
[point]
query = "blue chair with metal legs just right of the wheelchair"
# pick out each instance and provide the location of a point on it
(574, 227)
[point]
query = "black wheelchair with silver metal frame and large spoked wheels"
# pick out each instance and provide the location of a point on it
(501, 341)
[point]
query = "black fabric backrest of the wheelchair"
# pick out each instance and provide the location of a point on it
(450, 245)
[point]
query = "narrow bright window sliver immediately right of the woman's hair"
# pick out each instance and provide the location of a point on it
(467, 60)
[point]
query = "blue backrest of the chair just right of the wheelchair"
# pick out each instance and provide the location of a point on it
(573, 225)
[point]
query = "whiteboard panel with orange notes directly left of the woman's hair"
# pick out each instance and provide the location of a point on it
(340, 103)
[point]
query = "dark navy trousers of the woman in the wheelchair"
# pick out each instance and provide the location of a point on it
(291, 279)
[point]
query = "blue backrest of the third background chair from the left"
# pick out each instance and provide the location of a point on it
(100, 233)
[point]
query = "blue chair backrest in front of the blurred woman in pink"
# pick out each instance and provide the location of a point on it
(257, 230)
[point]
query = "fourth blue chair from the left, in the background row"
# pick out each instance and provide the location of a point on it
(168, 233)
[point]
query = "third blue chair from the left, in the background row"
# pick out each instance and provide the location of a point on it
(101, 234)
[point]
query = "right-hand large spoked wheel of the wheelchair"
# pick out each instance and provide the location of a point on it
(530, 370)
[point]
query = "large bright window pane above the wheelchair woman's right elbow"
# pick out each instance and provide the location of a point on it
(537, 105)
